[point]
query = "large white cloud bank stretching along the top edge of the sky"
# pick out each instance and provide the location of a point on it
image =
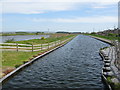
(43, 6)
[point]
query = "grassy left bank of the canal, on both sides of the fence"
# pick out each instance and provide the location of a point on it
(13, 59)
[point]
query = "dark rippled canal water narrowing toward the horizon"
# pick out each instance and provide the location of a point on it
(75, 65)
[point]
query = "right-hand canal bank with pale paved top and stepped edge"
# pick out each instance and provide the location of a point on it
(110, 72)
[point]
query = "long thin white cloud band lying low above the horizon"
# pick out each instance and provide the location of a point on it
(98, 19)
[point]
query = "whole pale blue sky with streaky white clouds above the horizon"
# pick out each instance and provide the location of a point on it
(58, 15)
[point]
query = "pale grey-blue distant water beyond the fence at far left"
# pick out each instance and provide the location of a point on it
(21, 37)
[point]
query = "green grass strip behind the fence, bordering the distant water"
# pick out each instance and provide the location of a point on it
(39, 41)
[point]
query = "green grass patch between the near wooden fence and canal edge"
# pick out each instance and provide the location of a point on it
(12, 58)
